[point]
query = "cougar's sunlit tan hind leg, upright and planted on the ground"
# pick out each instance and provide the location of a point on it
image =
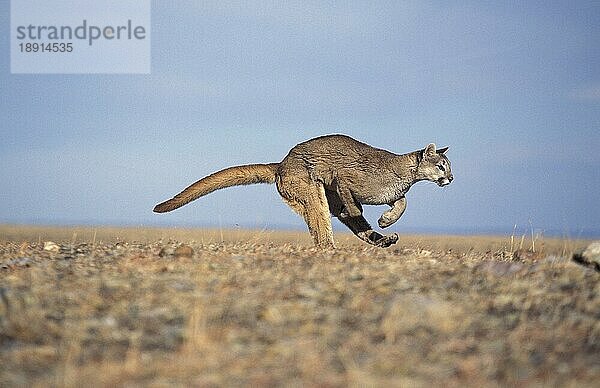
(307, 198)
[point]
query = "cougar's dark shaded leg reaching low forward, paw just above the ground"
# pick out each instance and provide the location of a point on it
(358, 225)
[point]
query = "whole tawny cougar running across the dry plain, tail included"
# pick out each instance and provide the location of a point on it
(334, 174)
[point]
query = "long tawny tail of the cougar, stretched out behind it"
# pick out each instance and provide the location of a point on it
(232, 176)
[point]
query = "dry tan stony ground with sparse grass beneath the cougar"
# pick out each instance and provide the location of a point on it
(138, 307)
